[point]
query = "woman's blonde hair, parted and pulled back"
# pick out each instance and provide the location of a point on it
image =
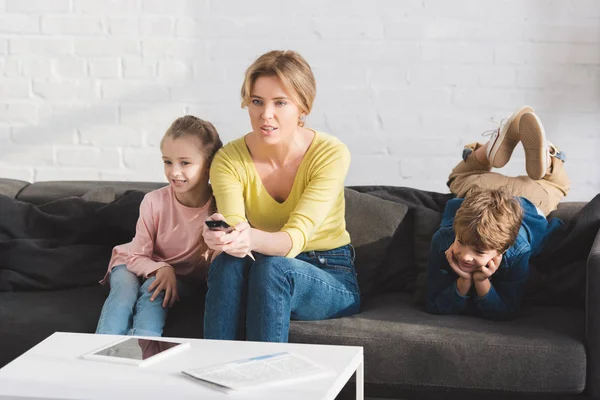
(294, 72)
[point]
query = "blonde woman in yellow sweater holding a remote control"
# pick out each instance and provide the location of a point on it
(281, 187)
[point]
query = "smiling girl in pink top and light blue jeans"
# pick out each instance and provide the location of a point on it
(147, 274)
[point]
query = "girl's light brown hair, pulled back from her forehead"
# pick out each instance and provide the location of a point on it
(190, 126)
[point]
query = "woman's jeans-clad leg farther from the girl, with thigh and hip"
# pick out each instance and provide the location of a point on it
(316, 285)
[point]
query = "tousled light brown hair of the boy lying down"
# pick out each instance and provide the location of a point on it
(488, 220)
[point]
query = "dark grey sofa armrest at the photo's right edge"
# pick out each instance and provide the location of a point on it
(592, 319)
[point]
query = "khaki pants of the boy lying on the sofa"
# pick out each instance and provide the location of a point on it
(545, 194)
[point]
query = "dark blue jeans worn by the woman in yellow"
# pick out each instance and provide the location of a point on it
(262, 296)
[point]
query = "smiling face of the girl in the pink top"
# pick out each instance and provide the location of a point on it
(185, 164)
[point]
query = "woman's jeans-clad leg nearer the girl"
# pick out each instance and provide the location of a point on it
(225, 308)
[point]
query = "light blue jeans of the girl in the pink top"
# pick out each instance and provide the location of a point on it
(128, 309)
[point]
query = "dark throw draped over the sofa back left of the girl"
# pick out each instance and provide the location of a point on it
(62, 244)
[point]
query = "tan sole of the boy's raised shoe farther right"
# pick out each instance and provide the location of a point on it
(533, 139)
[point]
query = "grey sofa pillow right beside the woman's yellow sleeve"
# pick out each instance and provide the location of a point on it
(371, 222)
